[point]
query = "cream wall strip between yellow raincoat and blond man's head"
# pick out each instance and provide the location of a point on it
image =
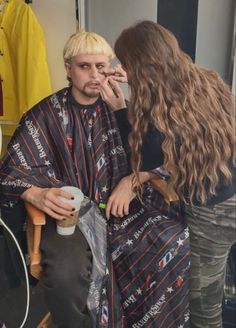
(57, 18)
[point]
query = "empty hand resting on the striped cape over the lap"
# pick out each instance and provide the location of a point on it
(119, 200)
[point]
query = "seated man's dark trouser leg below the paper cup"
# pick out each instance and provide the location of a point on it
(67, 266)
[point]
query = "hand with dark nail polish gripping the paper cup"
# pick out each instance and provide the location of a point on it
(48, 200)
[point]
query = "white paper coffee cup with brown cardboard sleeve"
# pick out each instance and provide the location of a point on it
(67, 226)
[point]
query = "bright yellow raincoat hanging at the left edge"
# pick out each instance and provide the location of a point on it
(23, 67)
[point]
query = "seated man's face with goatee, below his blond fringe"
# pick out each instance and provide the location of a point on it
(86, 75)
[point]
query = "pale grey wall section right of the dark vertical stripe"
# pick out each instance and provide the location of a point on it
(214, 34)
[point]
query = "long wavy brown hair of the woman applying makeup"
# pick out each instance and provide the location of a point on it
(191, 105)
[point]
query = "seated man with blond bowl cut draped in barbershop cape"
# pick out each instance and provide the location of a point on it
(74, 138)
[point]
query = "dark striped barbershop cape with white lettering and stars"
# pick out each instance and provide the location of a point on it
(60, 142)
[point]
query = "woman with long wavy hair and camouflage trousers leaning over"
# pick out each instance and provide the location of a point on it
(183, 116)
